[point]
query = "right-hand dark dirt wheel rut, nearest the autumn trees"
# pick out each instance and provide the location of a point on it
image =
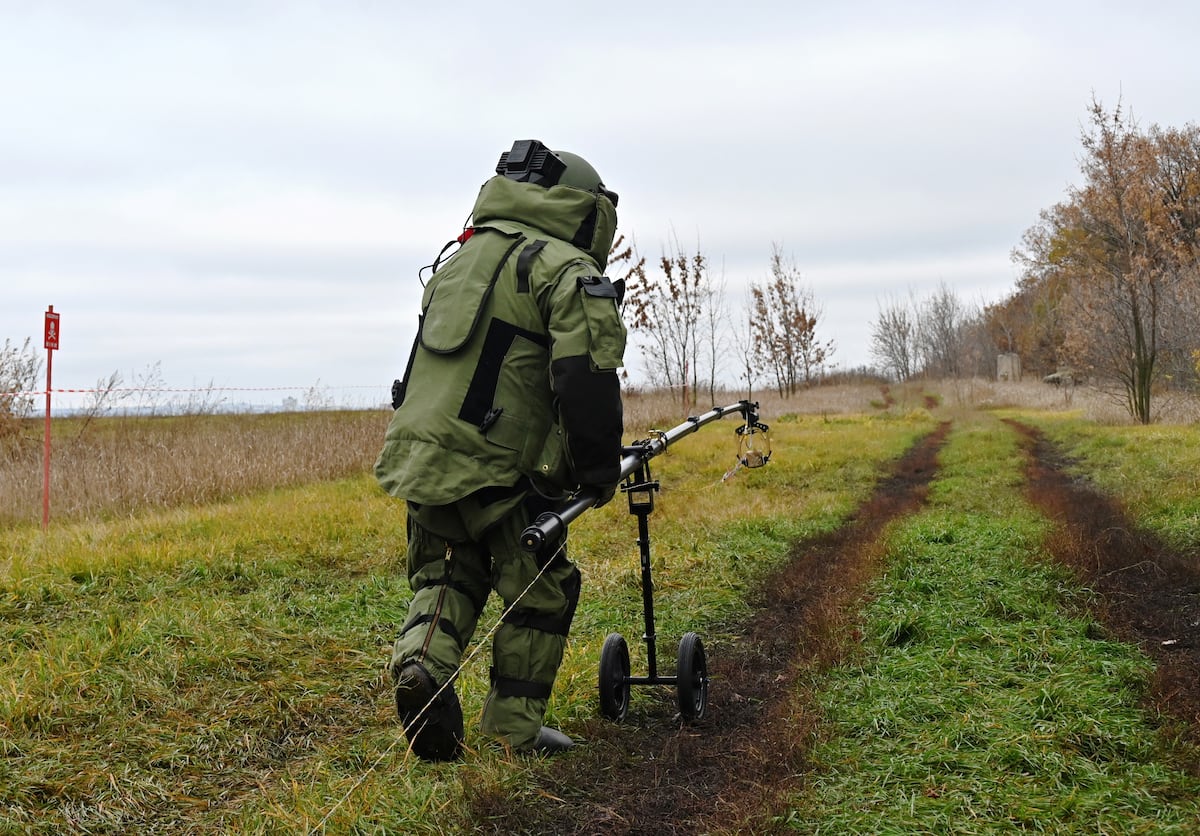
(1149, 596)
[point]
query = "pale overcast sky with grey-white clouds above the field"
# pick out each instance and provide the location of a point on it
(241, 195)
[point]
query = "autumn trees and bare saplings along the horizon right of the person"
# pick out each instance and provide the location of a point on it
(1109, 293)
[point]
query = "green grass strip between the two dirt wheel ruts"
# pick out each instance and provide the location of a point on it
(983, 699)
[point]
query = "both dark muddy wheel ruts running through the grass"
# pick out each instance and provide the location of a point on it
(729, 773)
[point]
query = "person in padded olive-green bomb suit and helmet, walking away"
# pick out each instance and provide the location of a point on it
(509, 405)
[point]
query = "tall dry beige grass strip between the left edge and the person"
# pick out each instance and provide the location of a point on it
(121, 466)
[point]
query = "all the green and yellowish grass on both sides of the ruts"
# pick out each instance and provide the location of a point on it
(215, 665)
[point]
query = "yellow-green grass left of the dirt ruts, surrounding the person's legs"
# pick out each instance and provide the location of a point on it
(220, 669)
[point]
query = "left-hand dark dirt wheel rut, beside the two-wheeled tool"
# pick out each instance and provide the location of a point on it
(725, 774)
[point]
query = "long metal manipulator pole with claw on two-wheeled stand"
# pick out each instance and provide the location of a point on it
(692, 667)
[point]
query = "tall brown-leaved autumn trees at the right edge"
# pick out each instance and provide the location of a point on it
(1111, 276)
